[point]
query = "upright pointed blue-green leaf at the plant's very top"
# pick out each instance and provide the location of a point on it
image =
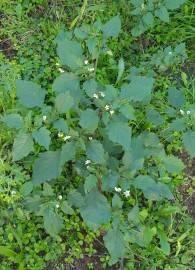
(112, 27)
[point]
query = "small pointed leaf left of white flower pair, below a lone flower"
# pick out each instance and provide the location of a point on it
(42, 137)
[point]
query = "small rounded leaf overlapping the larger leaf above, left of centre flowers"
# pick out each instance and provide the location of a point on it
(64, 102)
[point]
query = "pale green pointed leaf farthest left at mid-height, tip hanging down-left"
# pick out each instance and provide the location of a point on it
(23, 145)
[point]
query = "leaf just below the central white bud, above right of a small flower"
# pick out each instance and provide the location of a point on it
(95, 152)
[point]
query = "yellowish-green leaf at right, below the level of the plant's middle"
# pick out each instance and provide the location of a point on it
(173, 164)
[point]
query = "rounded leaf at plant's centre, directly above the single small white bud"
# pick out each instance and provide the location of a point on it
(89, 120)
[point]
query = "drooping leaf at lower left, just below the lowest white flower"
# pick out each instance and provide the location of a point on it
(53, 223)
